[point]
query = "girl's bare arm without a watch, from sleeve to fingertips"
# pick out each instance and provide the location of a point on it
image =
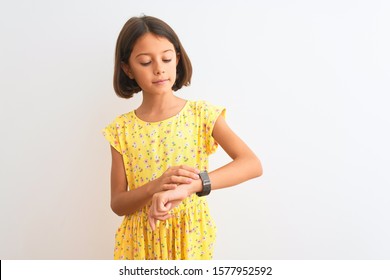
(124, 202)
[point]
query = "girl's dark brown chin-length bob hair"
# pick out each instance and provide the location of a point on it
(133, 29)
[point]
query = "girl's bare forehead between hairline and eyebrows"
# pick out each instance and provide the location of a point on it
(151, 44)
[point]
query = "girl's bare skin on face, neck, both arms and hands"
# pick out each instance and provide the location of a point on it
(152, 64)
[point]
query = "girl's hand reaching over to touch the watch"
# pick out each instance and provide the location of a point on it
(174, 176)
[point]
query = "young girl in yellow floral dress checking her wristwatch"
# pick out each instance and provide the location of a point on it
(160, 151)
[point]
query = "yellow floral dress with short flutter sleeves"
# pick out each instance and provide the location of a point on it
(148, 150)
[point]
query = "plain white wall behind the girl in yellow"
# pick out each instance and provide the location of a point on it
(305, 84)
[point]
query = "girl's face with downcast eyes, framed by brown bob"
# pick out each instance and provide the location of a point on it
(152, 64)
